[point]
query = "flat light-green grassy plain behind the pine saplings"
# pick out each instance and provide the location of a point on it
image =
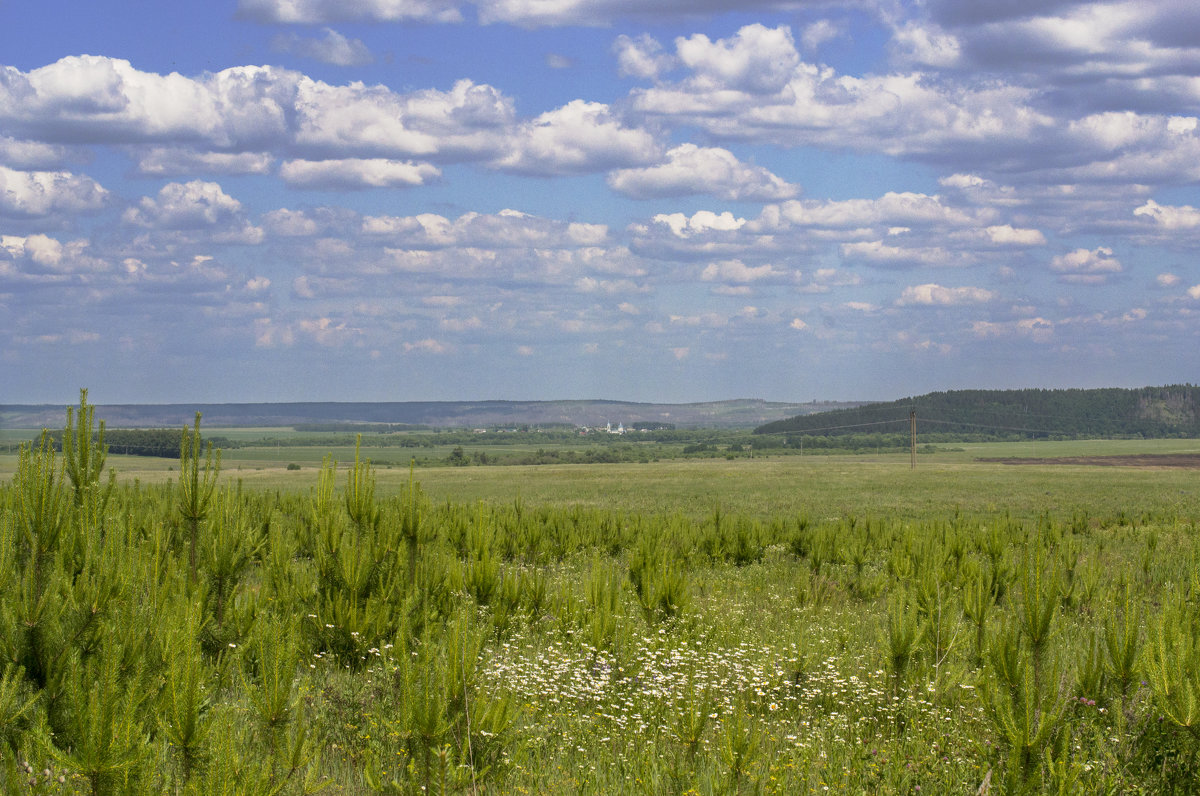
(817, 487)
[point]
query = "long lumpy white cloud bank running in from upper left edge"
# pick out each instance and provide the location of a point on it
(95, 100)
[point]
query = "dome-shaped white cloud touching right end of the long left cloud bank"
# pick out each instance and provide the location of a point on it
(578, 139)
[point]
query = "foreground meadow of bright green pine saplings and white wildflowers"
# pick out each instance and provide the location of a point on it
(197, 638)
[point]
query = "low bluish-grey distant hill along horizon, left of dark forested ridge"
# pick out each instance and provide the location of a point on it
(741, 414)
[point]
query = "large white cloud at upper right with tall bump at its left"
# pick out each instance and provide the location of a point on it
(755, 87)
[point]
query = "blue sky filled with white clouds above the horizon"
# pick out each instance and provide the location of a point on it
(653, 201)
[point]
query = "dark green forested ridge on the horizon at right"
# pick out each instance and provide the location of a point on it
(1154, 412)
